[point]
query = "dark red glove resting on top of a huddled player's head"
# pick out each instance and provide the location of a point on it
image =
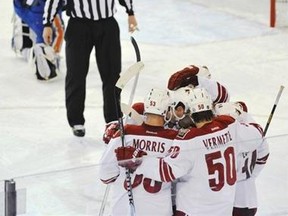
(184, 78)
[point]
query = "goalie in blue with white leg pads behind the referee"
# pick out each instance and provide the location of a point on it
(29, 16)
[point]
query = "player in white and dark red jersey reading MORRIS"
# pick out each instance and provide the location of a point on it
(150, 197)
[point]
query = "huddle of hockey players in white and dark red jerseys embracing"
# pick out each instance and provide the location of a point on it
(196, 153)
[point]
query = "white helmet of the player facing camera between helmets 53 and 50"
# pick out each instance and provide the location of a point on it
(182, 97)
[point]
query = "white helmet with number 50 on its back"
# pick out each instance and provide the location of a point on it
(200, 100)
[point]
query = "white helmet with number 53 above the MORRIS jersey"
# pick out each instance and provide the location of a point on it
(157, 102)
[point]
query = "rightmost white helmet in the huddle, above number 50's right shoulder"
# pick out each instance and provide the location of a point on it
(229, 108)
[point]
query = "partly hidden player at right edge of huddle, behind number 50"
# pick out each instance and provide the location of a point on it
(250, 163)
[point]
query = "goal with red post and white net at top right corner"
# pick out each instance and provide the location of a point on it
(278, 13)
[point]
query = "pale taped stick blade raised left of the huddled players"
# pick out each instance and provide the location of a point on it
(129, 73)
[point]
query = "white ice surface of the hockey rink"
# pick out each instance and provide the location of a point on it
(56, 173)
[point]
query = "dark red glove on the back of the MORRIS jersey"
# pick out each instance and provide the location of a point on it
(129, 157)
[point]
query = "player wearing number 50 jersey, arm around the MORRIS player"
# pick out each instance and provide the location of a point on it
(203, 159)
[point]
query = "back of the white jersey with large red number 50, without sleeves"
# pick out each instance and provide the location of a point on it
(209, 156)
